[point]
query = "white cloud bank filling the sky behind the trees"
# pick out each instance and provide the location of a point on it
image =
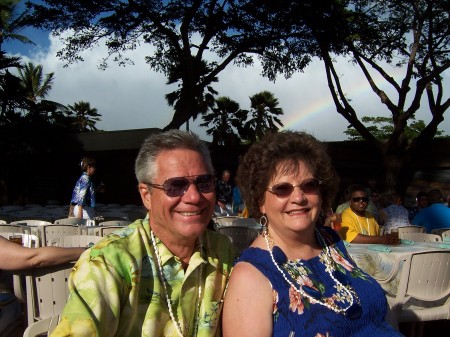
(133, 96)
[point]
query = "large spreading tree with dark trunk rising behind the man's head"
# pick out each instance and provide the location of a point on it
(193, 40)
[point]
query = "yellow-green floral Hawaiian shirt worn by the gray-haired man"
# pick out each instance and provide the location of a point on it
(115, 288)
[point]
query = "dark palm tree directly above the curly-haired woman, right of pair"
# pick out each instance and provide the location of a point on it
(264, 111)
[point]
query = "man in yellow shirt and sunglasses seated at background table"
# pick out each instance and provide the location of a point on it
(358, 224)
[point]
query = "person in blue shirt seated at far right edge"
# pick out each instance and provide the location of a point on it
(436, 215)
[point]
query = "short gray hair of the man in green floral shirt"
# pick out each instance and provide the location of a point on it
(145, 167)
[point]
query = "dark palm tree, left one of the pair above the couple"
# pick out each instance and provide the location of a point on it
(224, 121)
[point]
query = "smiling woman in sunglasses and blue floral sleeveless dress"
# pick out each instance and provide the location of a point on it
(297, 279)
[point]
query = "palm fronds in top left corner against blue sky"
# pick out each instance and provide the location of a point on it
(10, 23)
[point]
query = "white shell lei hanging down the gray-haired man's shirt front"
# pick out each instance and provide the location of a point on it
(176, 323)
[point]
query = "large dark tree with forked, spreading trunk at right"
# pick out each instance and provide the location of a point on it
(379, 36)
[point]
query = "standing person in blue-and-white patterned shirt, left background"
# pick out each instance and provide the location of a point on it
(82, 204)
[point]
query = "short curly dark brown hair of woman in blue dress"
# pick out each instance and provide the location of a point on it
(281, 152)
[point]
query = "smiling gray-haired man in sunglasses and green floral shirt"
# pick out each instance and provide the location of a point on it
(164, 275)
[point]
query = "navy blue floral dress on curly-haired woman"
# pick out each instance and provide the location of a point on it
(295, 316)
